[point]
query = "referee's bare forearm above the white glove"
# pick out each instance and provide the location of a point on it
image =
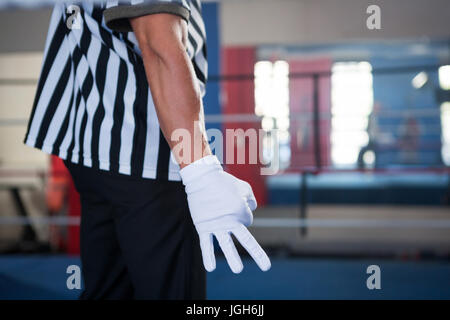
(177, 97)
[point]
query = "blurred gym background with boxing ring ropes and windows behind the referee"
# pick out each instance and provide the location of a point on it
(363, 122)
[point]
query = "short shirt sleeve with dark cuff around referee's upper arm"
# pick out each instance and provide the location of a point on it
(118, 13)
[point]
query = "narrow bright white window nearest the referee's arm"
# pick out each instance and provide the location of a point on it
(272, 103)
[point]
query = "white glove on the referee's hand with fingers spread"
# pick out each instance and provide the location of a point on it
(221, 204)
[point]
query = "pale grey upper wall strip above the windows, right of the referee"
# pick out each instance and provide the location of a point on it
(246, 22)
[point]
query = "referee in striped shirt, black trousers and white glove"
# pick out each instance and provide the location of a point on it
(118, 78)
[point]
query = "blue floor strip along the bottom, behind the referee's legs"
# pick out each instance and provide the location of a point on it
(44, 277)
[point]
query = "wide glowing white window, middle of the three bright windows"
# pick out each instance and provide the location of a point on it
(352, 103)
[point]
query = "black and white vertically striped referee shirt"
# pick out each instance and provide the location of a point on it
(93, 105)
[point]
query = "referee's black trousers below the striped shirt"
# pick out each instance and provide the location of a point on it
(137, 238)
